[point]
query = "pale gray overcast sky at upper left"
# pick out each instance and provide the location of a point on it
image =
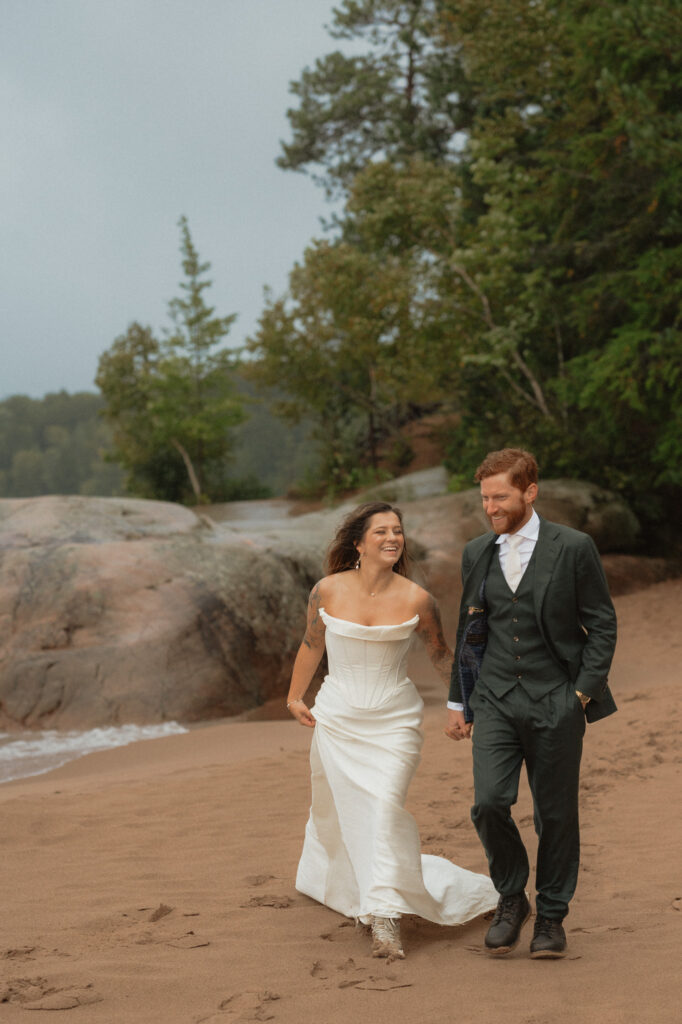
(117, 117)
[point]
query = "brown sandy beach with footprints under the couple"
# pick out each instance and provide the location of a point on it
(155, 883)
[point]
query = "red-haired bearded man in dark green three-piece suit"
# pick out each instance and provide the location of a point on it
(536, 636)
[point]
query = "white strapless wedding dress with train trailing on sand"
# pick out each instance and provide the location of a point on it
(362, 851)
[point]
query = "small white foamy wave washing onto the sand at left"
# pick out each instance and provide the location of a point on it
(29, 754)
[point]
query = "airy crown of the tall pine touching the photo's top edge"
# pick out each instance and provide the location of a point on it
(407, 96)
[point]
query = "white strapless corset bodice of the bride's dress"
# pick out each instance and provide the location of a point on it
(367, 663)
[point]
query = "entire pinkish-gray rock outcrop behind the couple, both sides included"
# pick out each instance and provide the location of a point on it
(116, 611)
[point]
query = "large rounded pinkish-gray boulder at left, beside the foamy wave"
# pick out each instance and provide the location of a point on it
(115, 611)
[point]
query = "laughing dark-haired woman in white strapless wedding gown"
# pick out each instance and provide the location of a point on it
(362, 852)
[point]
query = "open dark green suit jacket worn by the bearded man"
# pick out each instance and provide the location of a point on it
(574, 613)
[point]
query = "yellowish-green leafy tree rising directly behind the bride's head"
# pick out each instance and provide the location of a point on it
(342, 347)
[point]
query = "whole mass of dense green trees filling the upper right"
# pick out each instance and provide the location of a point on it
(510, 245)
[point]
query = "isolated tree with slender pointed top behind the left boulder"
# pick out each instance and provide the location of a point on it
(173, 404)
